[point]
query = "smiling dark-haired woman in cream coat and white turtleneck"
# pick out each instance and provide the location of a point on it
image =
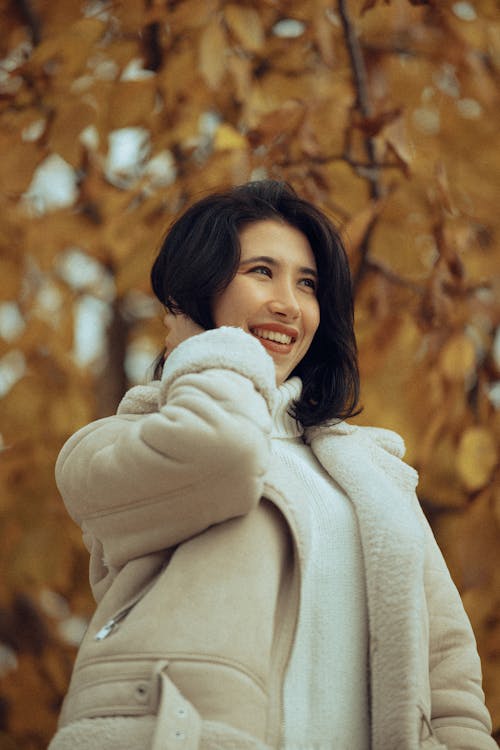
(263, 572)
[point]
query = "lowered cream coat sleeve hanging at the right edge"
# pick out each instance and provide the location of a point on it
(459, 717)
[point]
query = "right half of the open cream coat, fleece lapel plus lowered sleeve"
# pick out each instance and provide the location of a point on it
(402, 564)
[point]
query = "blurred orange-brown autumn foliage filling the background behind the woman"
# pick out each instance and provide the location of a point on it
(114, 116)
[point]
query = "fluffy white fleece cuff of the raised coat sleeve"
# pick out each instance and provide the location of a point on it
(224, 348)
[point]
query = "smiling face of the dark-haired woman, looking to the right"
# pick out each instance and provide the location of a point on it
(273, 295)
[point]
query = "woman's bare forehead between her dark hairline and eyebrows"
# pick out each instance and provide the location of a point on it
(278, 240)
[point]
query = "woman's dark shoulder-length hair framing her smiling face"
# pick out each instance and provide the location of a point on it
(200, 255)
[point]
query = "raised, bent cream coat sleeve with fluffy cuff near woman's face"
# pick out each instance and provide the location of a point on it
(139, 483)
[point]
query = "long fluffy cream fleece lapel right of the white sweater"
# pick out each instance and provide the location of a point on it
(366, 464)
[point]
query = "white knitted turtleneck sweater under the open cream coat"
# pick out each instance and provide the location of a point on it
(326, 685)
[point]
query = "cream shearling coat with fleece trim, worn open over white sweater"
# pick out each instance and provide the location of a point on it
(196, 545)
